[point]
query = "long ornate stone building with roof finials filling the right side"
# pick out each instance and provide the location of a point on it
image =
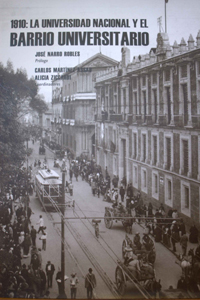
(148, 123)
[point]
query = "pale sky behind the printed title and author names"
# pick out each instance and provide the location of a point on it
(182, 20)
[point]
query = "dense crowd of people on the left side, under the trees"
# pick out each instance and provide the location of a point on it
(18, 242)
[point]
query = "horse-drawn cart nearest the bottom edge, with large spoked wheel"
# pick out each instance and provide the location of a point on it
(126, 272)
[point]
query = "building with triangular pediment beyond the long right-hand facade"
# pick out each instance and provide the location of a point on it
(76, 105)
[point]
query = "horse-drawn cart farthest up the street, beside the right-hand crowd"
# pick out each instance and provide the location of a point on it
(119, 213)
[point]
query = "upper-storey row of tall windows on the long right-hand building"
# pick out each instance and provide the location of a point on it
(153, 102)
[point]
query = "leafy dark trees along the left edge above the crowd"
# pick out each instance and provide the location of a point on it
(18, 95)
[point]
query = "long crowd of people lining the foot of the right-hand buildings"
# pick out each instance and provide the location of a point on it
(166, 226)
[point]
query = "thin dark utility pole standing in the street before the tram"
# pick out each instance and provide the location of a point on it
(62, 292)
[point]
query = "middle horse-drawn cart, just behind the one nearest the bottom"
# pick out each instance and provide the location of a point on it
(147, 250)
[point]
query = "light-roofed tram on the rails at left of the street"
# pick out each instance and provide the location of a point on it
(48, 187)
